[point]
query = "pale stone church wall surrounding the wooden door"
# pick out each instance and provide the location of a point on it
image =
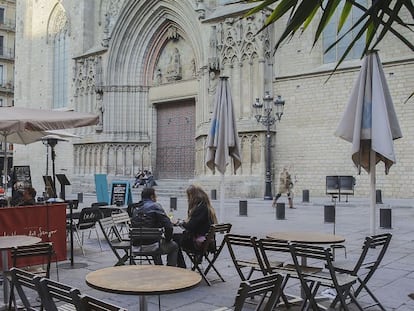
(121, 65)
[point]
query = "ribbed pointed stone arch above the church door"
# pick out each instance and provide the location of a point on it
(147, 24)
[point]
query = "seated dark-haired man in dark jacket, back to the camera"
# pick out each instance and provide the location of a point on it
(150, 214)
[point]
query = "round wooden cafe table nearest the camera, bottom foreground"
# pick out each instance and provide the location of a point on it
(143, 280)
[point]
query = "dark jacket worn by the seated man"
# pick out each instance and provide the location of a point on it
(150, 214)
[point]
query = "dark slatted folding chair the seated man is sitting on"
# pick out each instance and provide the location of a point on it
(144, 243)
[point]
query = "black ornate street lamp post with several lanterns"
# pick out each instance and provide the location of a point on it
(264, 116)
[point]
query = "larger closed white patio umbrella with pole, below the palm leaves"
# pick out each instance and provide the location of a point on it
(370, 124)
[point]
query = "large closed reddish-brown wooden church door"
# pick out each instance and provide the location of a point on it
(175, 140)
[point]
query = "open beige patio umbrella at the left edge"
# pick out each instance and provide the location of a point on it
(17, 122)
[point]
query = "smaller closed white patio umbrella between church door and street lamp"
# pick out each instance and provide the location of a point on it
(223, 139)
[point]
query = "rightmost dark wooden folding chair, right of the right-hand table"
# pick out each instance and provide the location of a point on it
(373, 251)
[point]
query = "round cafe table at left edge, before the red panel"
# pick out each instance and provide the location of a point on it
(6, 243)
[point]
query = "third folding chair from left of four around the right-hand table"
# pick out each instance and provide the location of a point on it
(311, 282)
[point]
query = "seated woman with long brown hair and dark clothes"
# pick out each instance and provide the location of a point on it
(201, 216)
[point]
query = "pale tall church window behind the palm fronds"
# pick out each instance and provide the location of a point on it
(330, 35)
